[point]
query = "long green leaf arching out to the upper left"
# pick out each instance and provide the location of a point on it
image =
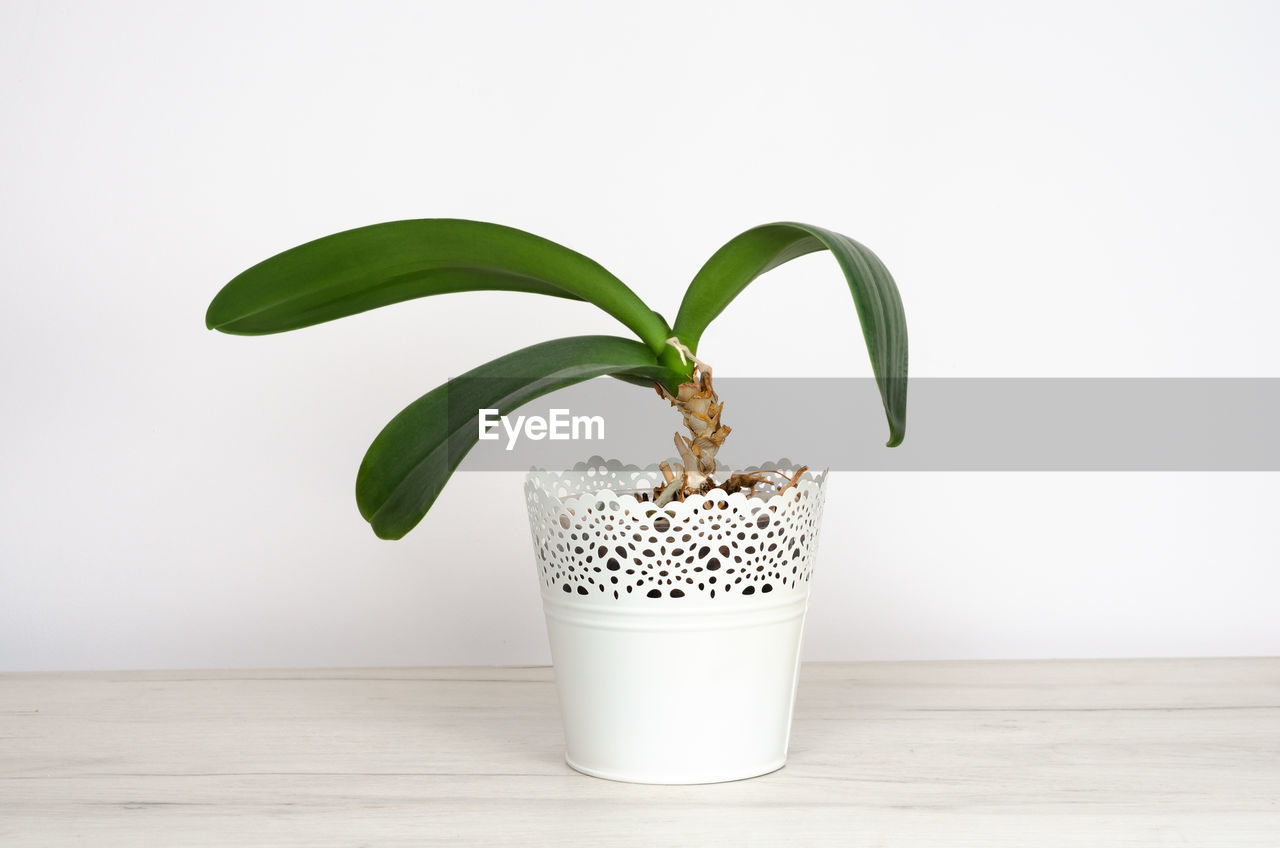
(372, 267)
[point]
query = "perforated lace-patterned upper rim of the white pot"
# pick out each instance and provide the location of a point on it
(596, 542)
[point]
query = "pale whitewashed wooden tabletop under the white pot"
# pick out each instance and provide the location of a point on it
(1100, 754)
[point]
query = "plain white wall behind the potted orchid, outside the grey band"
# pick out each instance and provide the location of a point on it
(1060, 190)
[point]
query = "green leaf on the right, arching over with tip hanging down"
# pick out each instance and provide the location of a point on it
(880, 307)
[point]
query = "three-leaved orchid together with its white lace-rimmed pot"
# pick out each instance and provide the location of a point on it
(675, 595)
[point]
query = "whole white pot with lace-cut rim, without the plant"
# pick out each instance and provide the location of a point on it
(675, 631)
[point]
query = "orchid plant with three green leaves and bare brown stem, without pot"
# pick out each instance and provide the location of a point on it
(414, 457)
